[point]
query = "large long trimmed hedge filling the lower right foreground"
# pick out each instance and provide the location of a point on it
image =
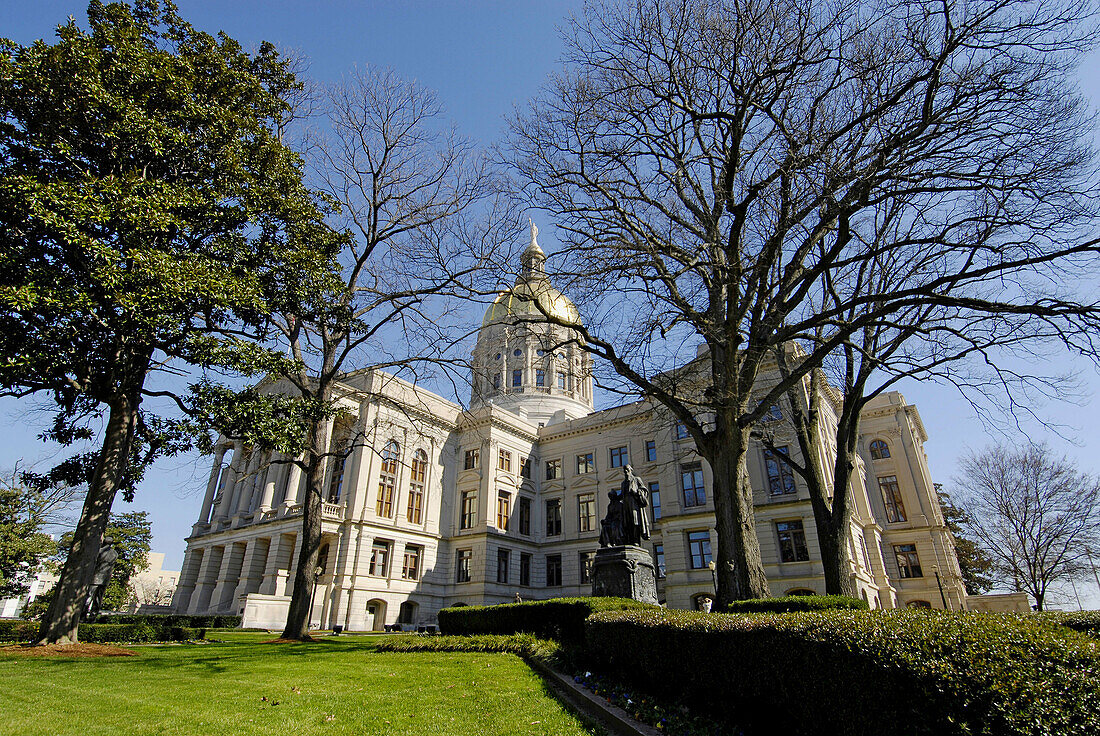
(861, 673)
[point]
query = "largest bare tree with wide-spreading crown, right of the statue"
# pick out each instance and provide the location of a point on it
(719, 164)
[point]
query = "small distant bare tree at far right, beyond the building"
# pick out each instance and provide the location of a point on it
(1036, 514)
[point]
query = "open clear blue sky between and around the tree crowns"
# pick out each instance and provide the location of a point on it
(482, 59)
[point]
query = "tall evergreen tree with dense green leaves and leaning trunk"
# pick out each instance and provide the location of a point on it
(150, 216)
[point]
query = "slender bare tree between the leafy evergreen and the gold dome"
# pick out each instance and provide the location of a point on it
(405, 188)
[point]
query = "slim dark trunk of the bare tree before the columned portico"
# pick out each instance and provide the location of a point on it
(298, 620)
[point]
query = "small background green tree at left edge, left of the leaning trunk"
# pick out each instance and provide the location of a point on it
(24, 547)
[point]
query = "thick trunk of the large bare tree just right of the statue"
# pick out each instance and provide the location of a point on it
(738, 563)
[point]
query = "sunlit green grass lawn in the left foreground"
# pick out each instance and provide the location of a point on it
(244, 686)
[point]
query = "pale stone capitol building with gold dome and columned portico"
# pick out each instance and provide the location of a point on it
(436, 506)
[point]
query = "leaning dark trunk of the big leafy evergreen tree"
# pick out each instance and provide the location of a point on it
(63, 618)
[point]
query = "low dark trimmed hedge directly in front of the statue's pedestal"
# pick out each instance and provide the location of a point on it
(557, 619)
